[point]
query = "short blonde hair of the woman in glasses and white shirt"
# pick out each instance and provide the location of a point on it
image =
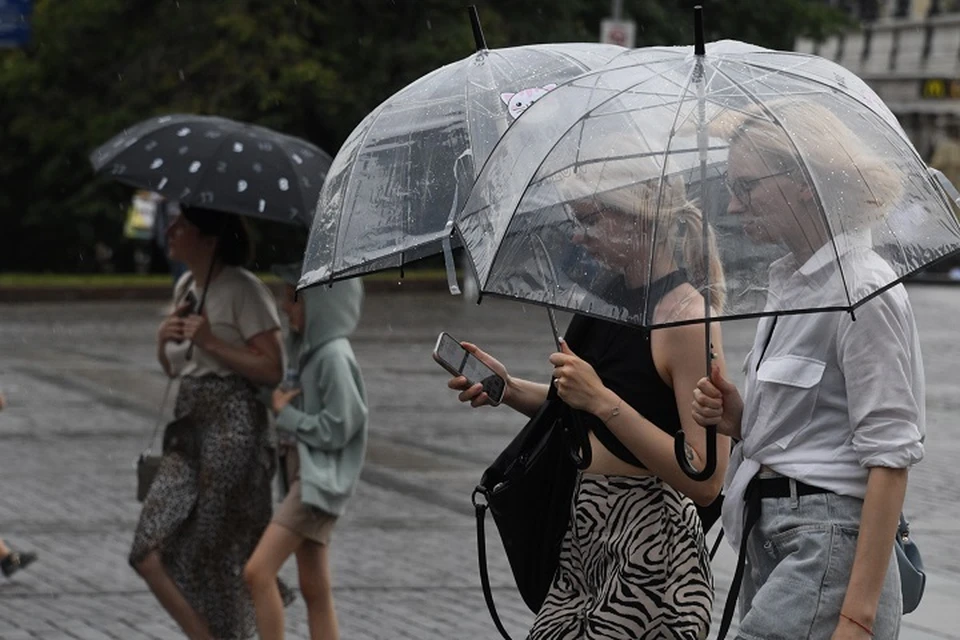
(800, 133)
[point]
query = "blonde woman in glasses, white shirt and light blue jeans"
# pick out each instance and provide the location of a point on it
(832, 415)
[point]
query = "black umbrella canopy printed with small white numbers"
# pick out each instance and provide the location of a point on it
(220, 164)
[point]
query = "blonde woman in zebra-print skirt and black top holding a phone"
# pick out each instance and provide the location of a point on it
(633, 562)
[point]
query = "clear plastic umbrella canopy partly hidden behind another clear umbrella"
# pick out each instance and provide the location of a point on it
(406, 170)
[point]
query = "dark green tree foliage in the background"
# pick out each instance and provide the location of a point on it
(311, 68)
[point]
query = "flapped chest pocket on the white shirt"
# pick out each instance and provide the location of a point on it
(788, 387)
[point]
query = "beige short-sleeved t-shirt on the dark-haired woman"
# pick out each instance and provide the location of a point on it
(238, 307)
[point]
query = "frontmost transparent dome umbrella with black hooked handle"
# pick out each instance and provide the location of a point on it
(833, 180)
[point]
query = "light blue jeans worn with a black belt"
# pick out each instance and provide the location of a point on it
(799, 558)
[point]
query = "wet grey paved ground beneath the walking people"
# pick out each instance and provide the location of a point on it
(83, 388)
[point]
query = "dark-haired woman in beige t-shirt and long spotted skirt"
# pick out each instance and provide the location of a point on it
(211, 501)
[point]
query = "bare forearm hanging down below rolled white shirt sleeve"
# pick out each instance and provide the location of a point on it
(878, 524)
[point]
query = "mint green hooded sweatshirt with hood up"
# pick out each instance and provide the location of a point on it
(329, 417)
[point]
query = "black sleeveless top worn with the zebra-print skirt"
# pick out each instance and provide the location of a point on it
(623, 359)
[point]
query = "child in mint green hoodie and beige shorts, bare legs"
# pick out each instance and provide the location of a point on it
(323, 432)
